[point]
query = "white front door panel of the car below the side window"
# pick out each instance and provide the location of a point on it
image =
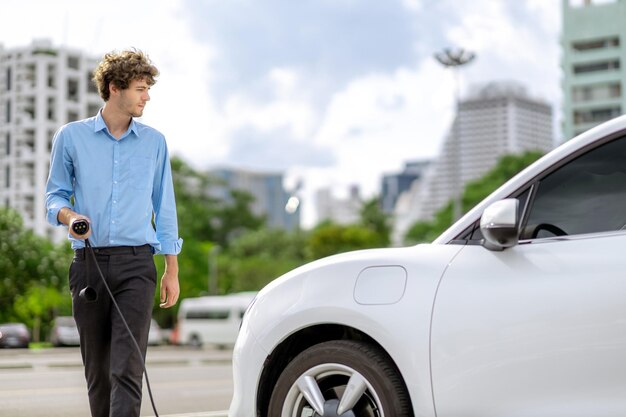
(500, 344)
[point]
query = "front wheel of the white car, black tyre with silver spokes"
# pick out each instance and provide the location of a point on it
(320, 375)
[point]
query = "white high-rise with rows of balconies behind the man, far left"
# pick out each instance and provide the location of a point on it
(41, 88)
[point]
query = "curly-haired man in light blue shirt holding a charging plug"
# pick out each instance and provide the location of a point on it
(115, 173)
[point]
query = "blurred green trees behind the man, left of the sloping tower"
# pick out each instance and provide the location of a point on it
(33, 271)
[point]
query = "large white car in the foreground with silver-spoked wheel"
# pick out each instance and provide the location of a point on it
(518, 309)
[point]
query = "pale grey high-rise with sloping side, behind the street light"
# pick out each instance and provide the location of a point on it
(494, 120)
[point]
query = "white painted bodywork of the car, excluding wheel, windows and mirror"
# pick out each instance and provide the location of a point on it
(474, 332)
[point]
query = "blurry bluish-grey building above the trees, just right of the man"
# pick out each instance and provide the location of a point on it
(270, 196)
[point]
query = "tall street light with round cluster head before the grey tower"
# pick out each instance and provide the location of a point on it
(454, 60)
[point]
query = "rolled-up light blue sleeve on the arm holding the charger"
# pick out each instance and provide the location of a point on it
(59, 187)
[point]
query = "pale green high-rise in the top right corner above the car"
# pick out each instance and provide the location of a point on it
(594, 45)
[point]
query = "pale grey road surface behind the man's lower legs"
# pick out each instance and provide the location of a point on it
(50, 383)
